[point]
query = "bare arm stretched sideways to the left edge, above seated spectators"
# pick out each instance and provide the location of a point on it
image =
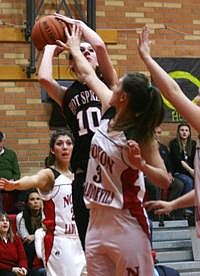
(43, 180)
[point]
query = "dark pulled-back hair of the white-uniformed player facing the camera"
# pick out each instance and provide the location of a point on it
(50, 159)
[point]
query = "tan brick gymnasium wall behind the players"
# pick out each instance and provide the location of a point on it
(24, 117)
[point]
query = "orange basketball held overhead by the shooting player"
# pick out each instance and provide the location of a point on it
(47, 30)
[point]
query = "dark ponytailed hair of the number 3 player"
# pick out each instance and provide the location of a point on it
(146, 103)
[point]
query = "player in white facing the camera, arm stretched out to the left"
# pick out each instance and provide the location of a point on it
(62, 252)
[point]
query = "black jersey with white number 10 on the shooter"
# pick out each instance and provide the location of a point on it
(82, 110)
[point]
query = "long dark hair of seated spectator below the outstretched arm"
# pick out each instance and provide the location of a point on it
(27, 214)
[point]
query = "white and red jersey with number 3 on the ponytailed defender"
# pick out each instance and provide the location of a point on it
(111, 181)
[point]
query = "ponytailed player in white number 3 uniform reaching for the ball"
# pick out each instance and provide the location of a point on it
(122, 149)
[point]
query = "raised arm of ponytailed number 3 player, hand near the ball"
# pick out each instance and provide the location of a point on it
(84, 70)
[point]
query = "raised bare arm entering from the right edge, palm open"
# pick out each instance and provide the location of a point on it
(168, 87)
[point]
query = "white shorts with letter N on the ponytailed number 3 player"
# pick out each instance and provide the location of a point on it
(116, 244)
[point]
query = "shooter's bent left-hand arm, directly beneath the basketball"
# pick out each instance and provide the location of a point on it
(45, 75)
